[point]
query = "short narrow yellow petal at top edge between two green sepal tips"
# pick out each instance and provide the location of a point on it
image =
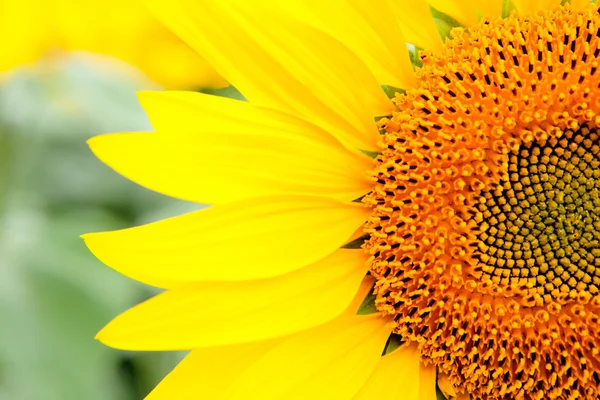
(417, 23)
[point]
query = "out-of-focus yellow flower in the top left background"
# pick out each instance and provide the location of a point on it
(122, 29)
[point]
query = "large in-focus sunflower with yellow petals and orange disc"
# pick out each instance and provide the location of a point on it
(442, 240)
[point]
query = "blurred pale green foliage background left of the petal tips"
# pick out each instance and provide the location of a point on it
(54, 295)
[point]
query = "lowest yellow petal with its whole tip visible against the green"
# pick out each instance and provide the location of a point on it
(222, 313)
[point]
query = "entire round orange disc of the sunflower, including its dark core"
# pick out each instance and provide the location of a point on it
(484, 237)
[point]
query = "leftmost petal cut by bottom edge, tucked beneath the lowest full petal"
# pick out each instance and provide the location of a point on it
(204, 373)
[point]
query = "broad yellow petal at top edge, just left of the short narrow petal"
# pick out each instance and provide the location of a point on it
(369, 29)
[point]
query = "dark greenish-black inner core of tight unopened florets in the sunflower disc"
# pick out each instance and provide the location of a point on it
(541, 228)
